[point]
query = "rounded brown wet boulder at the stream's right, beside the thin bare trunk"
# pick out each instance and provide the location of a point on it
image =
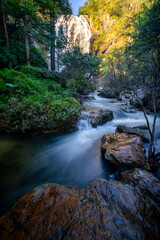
(123, 150)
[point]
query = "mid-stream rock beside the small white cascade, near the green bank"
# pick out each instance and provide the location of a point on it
(99, 117)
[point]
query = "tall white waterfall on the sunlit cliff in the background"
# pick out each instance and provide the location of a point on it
(73, 30)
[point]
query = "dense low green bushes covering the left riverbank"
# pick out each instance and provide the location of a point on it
(30, 102)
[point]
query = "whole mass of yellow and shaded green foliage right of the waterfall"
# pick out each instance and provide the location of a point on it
(127, 34)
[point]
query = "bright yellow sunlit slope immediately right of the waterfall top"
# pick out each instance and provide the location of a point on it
(111, 22)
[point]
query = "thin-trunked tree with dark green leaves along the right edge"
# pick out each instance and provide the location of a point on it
(144, 49)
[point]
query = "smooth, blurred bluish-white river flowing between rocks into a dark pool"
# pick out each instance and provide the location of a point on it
(72, 159)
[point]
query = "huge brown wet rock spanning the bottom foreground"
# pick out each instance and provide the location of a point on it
(104, 210)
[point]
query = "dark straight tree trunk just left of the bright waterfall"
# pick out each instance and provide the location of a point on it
(53, 60)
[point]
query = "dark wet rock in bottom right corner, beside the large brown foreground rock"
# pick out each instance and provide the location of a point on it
(147, 191)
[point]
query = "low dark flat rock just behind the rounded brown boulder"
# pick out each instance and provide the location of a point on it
(133, 131)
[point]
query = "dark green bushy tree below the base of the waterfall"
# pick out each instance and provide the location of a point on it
(79, 68)
